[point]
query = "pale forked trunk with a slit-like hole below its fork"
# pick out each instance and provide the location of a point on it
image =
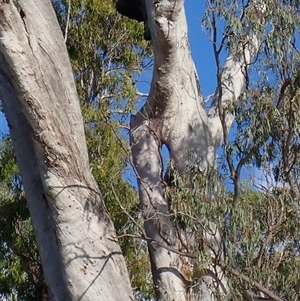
(174, 115)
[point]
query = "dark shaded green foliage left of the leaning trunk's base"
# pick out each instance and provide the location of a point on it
(21, 274)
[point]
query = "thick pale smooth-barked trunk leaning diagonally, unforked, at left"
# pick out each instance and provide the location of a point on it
(76, 239)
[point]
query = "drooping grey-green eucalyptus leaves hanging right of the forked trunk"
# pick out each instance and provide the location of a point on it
(259, 216)
